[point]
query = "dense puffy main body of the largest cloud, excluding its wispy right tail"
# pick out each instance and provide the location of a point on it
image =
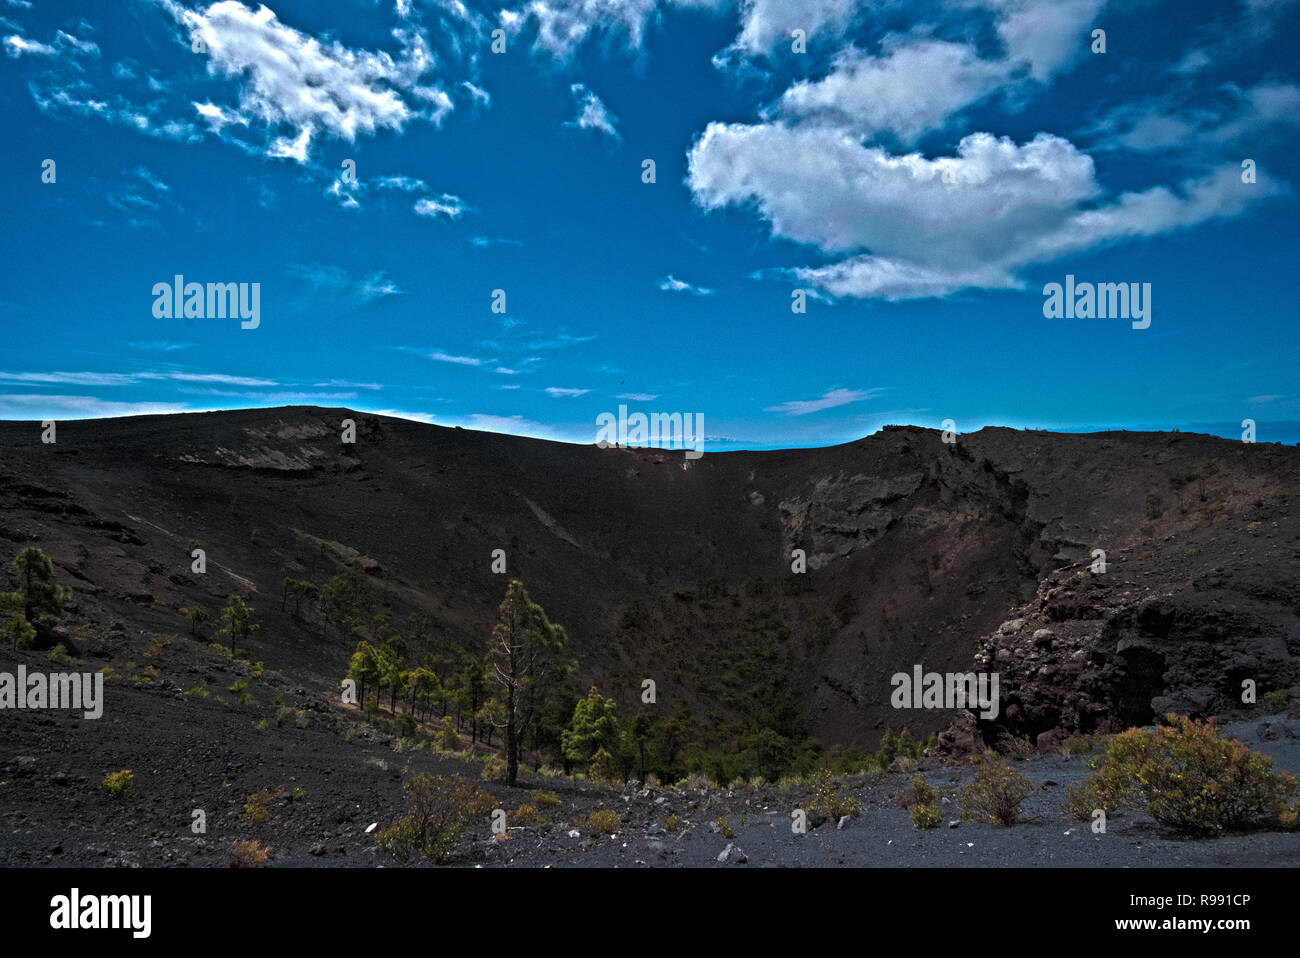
(824, 187)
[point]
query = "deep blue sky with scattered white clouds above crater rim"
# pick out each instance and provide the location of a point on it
(921, 171)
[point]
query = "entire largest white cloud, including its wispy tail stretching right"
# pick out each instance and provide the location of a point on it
(918, 227)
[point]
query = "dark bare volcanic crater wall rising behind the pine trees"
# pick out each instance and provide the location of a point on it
(681, 571)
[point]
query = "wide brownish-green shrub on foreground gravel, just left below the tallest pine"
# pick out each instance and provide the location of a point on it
(437, 812)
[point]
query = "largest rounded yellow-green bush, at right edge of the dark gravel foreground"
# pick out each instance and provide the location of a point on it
(1190, 779)
